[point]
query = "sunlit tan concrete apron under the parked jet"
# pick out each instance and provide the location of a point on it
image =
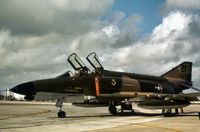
(42, 116)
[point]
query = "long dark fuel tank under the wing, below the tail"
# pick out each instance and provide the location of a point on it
(163, 104)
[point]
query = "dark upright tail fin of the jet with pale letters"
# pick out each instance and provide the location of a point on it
(183, 71)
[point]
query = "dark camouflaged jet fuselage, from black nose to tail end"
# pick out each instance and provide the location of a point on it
(109, 82)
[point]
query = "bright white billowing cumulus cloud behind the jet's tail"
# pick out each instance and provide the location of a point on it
(171, 42)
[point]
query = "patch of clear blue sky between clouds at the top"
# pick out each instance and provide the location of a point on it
(148, 10)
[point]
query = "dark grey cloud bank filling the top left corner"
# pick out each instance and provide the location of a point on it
(27, 17)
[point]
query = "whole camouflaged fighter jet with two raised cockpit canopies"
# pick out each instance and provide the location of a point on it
(112, 88)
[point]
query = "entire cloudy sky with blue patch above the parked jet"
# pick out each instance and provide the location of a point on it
(141, 36)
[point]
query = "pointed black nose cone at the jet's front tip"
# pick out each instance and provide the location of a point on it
(24, 89)
